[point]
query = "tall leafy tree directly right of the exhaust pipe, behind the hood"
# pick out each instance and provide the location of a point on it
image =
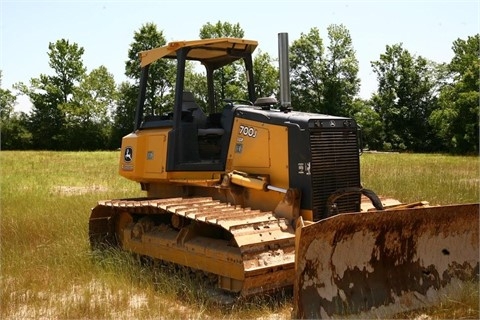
(324, 81)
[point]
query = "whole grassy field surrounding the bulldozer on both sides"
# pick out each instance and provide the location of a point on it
(48, 271)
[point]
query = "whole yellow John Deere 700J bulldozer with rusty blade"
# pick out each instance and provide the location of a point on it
(255, 196)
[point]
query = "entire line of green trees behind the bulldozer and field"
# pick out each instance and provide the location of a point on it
(419, 105)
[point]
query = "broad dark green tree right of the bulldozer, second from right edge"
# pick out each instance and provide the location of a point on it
(405, 99)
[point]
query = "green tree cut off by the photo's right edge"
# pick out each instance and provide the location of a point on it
(456, 120)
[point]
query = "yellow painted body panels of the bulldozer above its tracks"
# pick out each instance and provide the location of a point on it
(255, 148)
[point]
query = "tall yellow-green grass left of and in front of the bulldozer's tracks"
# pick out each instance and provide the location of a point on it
(47, 267)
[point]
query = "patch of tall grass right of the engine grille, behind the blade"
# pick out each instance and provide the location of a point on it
(438, 179)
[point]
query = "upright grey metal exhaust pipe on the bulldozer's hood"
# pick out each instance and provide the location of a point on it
(284, 66)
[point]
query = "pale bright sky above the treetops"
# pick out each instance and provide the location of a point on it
(105, 29)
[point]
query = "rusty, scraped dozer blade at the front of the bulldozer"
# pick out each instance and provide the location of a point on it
(375, 264)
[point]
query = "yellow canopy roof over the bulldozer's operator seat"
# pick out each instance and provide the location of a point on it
(209, 51)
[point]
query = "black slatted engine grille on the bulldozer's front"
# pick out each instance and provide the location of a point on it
(334, 165)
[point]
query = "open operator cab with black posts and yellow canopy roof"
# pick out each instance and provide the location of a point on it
(201, 121)
